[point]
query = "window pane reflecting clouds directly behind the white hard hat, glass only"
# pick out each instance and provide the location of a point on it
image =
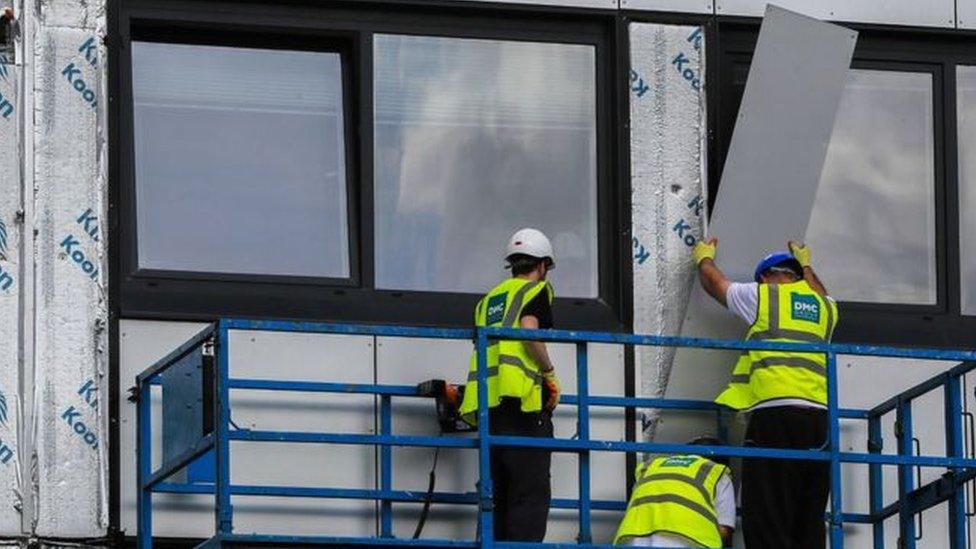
(476, 138)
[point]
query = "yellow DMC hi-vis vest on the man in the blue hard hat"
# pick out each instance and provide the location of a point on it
(792, 313)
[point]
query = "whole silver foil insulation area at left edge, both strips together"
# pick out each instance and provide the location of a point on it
(53, 277)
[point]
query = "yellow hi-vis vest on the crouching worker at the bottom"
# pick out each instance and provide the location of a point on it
(674, 495)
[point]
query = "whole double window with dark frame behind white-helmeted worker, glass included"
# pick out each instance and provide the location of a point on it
(361, 164)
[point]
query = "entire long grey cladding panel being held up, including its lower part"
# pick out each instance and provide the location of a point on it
(768, 188)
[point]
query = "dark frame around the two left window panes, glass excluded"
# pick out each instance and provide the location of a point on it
(195, 296)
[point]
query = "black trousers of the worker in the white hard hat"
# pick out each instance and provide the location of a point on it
(520, 475)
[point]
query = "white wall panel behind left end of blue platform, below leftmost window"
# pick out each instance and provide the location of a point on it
(262, 355)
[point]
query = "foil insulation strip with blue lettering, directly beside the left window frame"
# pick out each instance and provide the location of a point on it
(71, 300)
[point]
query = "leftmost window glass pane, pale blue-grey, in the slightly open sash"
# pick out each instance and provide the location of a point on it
(239, 160)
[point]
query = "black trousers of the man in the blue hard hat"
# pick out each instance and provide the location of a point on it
(783, 500)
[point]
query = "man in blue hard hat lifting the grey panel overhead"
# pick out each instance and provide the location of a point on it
(784, 393)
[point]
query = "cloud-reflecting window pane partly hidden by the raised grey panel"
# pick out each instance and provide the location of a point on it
(873, 223)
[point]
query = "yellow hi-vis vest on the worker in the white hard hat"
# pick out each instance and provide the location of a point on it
(512, 372)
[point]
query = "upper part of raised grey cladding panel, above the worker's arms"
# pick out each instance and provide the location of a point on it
(780, 138)
